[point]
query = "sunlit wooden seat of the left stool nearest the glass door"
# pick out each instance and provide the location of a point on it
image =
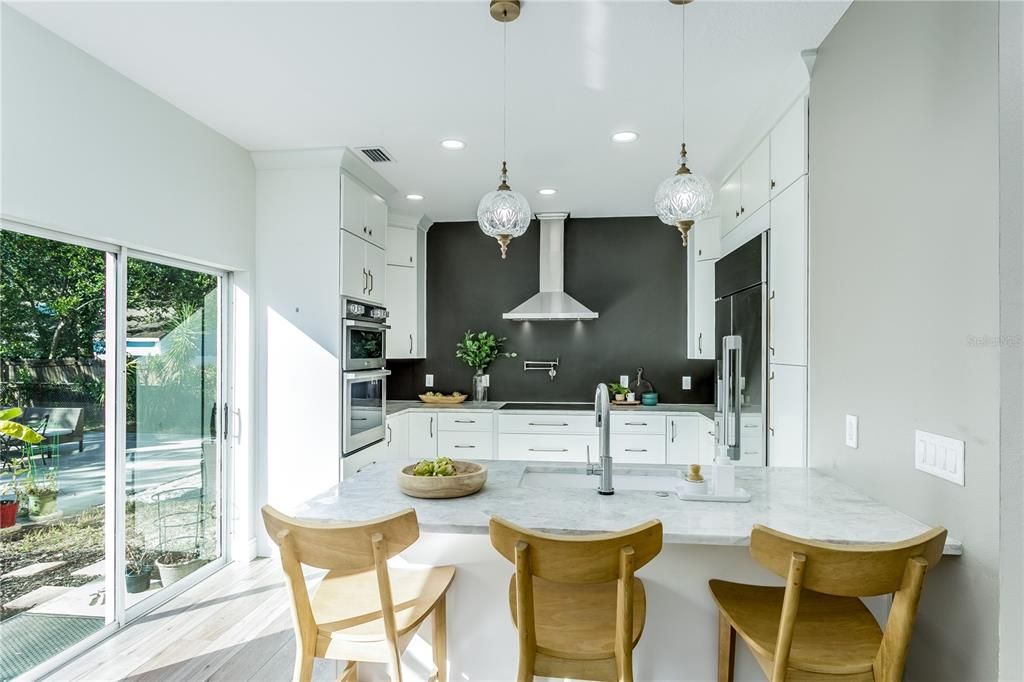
(348, 606)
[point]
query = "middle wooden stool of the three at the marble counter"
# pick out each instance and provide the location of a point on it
(575, 601)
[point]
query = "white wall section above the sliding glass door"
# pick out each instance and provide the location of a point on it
(87, 151)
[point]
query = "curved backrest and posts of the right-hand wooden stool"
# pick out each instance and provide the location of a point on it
(850, 571)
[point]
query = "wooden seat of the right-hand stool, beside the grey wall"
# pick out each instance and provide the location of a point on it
(819, 647)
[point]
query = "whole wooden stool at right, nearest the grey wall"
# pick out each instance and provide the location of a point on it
(817, 628)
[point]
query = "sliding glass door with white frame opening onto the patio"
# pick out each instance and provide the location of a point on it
(117, 360)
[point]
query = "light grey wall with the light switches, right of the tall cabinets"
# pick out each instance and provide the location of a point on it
(904, 260)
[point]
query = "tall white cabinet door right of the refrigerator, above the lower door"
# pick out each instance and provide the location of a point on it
(788, 277)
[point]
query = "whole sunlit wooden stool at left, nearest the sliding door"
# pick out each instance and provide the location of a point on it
(363, 611)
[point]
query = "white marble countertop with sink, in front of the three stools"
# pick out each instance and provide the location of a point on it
(801, 502)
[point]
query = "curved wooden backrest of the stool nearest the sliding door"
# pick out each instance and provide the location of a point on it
(343, 546)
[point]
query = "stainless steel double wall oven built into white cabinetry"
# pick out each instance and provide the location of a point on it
(364, 378)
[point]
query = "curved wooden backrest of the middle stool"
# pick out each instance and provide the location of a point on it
(579, 560)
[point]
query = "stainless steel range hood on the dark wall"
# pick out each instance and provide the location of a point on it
(551, 304)
